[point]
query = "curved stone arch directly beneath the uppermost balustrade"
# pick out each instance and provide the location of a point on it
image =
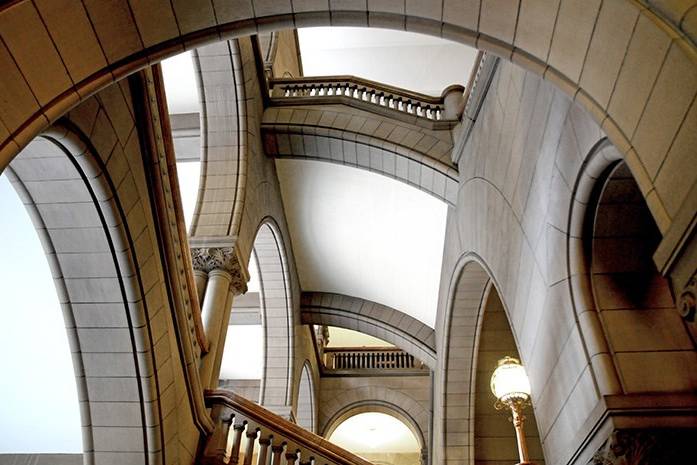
(423, 162)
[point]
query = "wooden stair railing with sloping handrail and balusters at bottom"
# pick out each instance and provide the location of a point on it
(248, 434)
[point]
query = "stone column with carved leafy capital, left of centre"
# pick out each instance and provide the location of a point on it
(226, 278)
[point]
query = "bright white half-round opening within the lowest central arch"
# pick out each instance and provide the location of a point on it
(374, 432)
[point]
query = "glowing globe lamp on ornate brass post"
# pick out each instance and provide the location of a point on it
(510, 385)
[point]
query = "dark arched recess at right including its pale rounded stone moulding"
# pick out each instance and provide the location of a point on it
(612, 237)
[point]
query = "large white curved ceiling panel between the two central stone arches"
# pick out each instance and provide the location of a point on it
(365, 235)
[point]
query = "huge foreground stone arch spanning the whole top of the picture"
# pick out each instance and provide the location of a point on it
(567, 45)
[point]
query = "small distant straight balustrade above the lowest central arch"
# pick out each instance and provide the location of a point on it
(369, 358)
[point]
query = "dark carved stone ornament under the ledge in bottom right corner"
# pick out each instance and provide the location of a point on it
(647, 447)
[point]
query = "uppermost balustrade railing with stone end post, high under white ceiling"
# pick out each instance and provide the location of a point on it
(350, 89)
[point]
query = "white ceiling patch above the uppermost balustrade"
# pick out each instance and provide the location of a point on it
(417, 62)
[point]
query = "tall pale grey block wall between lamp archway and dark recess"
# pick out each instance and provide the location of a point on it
(517, 174)
